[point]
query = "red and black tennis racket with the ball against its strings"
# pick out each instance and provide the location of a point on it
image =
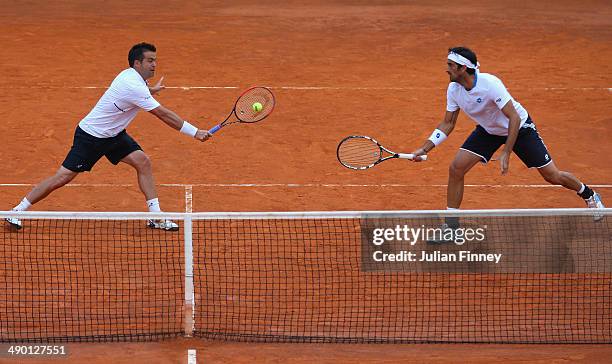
(255, 104)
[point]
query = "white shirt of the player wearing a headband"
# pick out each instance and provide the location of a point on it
(483, 103)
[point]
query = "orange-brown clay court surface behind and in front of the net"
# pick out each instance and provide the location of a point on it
(337, 68)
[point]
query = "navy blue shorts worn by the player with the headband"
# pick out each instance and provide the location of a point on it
(529, 146)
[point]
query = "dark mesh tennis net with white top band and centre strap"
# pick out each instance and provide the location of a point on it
(501, 276)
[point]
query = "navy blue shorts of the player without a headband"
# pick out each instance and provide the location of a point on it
(87, 150)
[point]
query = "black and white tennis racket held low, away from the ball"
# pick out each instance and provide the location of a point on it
(362, 152)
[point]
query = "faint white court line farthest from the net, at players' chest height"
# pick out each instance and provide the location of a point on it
(314, 88)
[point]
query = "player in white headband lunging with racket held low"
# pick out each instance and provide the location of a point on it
(501, 121)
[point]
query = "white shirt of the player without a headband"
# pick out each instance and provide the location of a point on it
(119, 105)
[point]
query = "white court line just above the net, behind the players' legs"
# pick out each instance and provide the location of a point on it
(257, 185)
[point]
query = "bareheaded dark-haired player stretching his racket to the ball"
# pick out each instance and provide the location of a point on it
(102, 133)
